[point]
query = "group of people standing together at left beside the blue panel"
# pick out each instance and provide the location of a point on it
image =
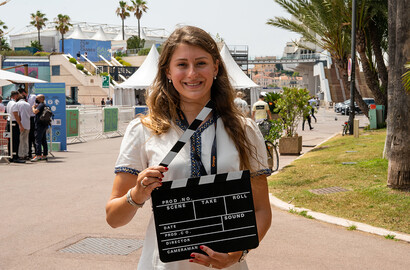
(29, 142)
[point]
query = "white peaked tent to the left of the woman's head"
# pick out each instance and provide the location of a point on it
(141, 79)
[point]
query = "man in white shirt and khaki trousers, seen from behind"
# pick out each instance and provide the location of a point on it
(22, 111)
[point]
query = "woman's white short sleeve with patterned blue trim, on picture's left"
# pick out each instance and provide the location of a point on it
(133, 156)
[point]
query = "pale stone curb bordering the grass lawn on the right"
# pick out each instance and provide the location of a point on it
(274, 201)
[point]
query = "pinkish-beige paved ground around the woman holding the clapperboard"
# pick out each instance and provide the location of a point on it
(48, 206)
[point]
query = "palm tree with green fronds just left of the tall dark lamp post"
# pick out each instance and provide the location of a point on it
(323, 23)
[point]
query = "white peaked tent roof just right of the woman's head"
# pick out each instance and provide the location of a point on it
(238, 78)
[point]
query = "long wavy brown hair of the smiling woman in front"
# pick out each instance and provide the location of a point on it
(163, 100)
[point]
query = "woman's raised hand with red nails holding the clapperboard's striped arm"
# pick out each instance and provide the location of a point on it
(148, 180)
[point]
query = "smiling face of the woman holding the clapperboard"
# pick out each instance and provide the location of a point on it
(192, 71)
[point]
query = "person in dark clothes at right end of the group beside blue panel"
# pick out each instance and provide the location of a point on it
(40, 130)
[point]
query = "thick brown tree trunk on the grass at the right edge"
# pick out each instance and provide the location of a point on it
(399, 101)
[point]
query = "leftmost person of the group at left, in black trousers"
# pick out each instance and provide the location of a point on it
(14, 127)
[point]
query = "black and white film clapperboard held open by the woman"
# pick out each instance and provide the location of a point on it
(212, 210)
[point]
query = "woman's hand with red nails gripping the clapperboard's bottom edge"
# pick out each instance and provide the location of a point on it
(215, 259)
